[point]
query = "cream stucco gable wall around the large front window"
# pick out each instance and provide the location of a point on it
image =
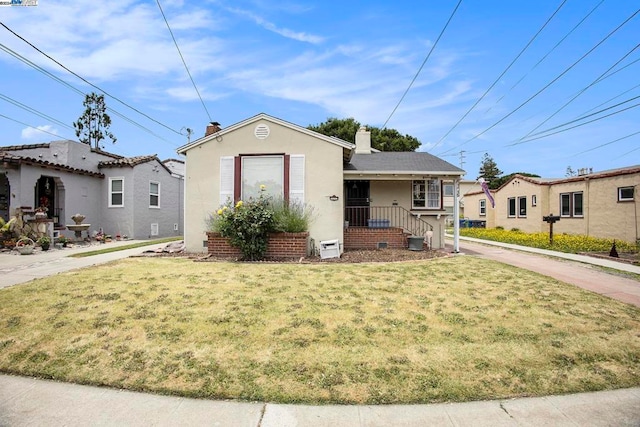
(323, 178)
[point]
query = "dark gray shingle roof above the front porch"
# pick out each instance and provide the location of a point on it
(400, 162)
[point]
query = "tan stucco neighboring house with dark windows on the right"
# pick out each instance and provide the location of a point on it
(601, 204)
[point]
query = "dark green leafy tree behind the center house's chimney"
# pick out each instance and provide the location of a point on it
(381, 139)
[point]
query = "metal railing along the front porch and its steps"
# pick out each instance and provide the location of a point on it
(386, 216)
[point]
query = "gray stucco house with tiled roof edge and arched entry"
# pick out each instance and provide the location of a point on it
(139, 197)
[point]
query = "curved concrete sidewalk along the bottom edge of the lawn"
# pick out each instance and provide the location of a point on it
(30, 402)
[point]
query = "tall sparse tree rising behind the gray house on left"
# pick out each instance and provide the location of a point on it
(93, 126)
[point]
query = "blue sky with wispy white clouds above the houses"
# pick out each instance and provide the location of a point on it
(306, 61)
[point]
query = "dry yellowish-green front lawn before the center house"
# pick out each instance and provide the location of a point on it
(448, 329)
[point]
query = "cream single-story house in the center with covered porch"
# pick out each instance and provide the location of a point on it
(348, 186)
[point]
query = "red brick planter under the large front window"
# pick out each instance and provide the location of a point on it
(281, 245)
